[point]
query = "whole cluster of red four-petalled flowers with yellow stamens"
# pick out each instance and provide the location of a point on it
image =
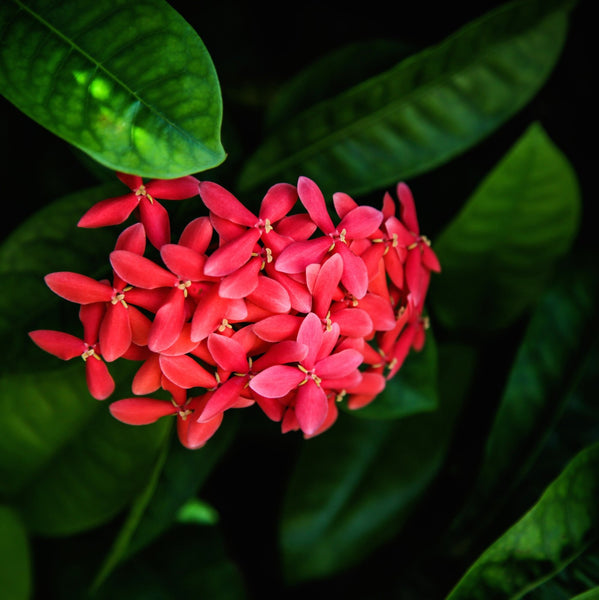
(291, 312)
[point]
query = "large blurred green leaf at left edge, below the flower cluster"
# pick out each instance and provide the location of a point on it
(71, 465)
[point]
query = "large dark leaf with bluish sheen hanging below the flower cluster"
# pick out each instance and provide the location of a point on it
(354, 487)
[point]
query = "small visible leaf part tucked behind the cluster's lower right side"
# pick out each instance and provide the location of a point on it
(411, 391)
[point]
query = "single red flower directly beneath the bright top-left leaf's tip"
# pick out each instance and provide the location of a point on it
(154, 217)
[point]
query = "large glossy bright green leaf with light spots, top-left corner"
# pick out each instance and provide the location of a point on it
(129, 83)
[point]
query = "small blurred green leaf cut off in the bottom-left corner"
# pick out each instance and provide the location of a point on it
(15, 563)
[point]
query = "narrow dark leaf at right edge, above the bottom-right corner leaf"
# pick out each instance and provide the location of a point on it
(547, 365)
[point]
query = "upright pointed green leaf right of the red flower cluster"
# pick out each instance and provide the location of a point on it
(500, 250)
